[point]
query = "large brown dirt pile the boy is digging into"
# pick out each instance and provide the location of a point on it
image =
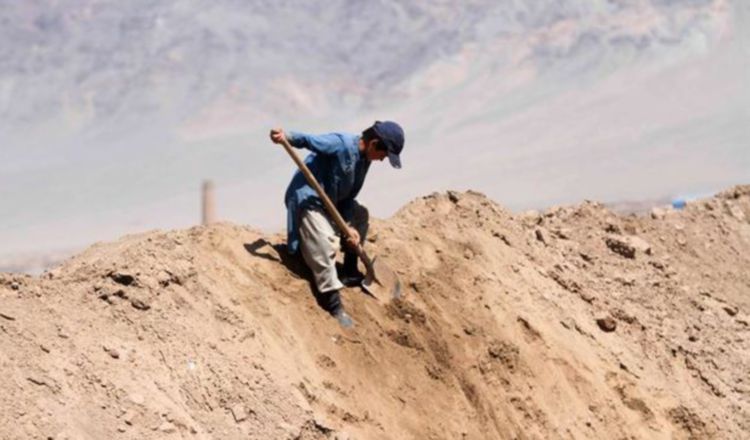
(571, 323)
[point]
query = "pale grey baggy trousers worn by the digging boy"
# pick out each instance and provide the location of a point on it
(320, 239)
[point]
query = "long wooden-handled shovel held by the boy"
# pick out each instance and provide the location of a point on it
(380, 280)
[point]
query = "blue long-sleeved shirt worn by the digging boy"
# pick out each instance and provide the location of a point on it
(339, 167)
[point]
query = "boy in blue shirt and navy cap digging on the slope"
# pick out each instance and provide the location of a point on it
(339, 162)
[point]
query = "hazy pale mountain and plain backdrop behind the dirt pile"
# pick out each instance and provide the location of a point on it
(113, 112)
